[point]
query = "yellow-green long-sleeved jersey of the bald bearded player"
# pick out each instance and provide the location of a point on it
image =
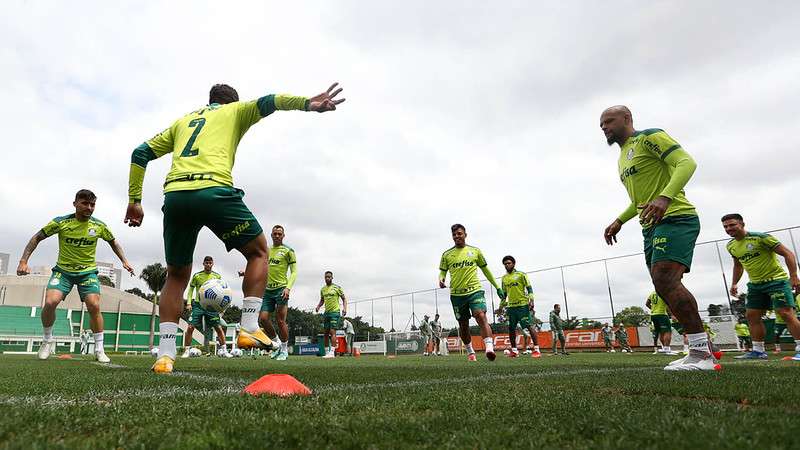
(652, 164)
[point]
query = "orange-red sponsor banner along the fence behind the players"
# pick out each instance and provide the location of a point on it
(590, 338)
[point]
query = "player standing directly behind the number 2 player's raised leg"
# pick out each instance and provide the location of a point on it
(276, 294)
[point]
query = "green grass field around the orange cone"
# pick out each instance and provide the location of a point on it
(576, 401)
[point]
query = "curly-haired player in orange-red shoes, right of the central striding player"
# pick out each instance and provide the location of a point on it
(518, 304)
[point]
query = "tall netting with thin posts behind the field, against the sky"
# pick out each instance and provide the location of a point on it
(596, 290)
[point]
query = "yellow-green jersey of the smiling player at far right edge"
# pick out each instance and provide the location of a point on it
(756, 252)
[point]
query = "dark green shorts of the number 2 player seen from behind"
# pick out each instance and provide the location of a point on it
(221, 209)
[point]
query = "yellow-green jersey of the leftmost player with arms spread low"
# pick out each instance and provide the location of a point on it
(77, 242)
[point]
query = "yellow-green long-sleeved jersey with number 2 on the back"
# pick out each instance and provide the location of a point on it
(203, 143)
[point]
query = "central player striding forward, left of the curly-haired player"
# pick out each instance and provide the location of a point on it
(466, 293)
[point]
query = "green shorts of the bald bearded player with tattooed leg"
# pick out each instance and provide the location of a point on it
(672, 239)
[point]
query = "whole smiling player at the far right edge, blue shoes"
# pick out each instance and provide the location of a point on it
(769, 286)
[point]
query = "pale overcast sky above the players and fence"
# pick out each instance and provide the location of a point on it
(455, 112)
